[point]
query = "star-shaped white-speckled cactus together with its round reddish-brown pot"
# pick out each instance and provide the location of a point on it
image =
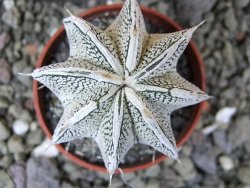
(119, 85)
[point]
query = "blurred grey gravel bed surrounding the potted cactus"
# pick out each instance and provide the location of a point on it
(220, 159)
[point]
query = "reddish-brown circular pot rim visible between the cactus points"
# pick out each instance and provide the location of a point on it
(191, 50)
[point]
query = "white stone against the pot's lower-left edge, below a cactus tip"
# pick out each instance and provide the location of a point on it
(46, 149)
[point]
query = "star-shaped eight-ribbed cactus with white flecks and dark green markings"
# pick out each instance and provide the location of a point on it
(119, 86)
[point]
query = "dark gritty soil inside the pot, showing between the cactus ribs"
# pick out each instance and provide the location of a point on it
(86, 148)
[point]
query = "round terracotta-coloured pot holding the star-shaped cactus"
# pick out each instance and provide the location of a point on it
(194, 61)
